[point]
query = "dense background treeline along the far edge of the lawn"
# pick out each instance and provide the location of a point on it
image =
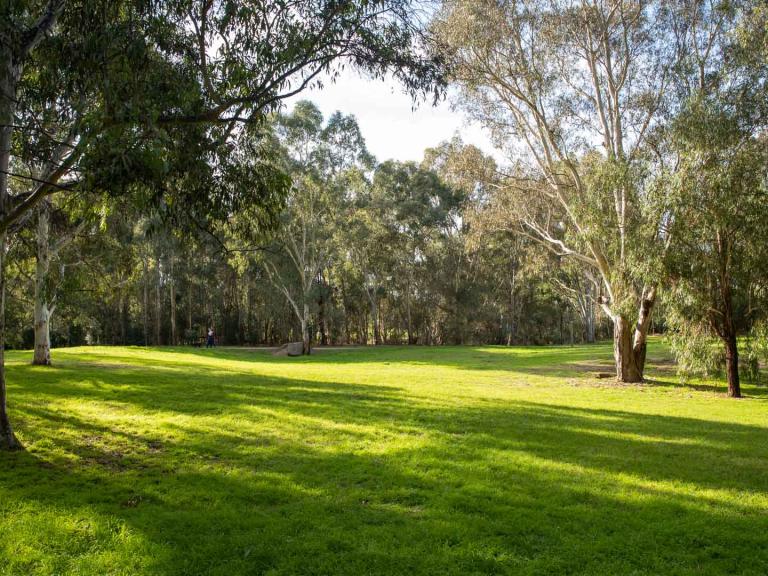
(393, 253)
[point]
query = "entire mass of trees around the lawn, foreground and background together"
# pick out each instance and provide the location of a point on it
(150, 189)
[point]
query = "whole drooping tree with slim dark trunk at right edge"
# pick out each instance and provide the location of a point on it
(718, 192)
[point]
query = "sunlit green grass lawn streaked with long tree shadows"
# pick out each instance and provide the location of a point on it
(378, 461)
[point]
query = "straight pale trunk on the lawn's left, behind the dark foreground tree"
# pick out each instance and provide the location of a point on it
(42, 310)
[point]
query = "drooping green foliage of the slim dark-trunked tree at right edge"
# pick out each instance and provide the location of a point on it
(717, 211)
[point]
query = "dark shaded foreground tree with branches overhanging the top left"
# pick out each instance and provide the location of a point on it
(111, 94)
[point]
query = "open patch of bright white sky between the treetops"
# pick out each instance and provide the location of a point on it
(392, 130)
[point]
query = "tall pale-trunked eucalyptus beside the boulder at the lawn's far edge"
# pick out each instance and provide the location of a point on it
(327, 162)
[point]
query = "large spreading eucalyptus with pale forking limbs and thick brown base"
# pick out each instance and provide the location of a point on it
(573, 90)
